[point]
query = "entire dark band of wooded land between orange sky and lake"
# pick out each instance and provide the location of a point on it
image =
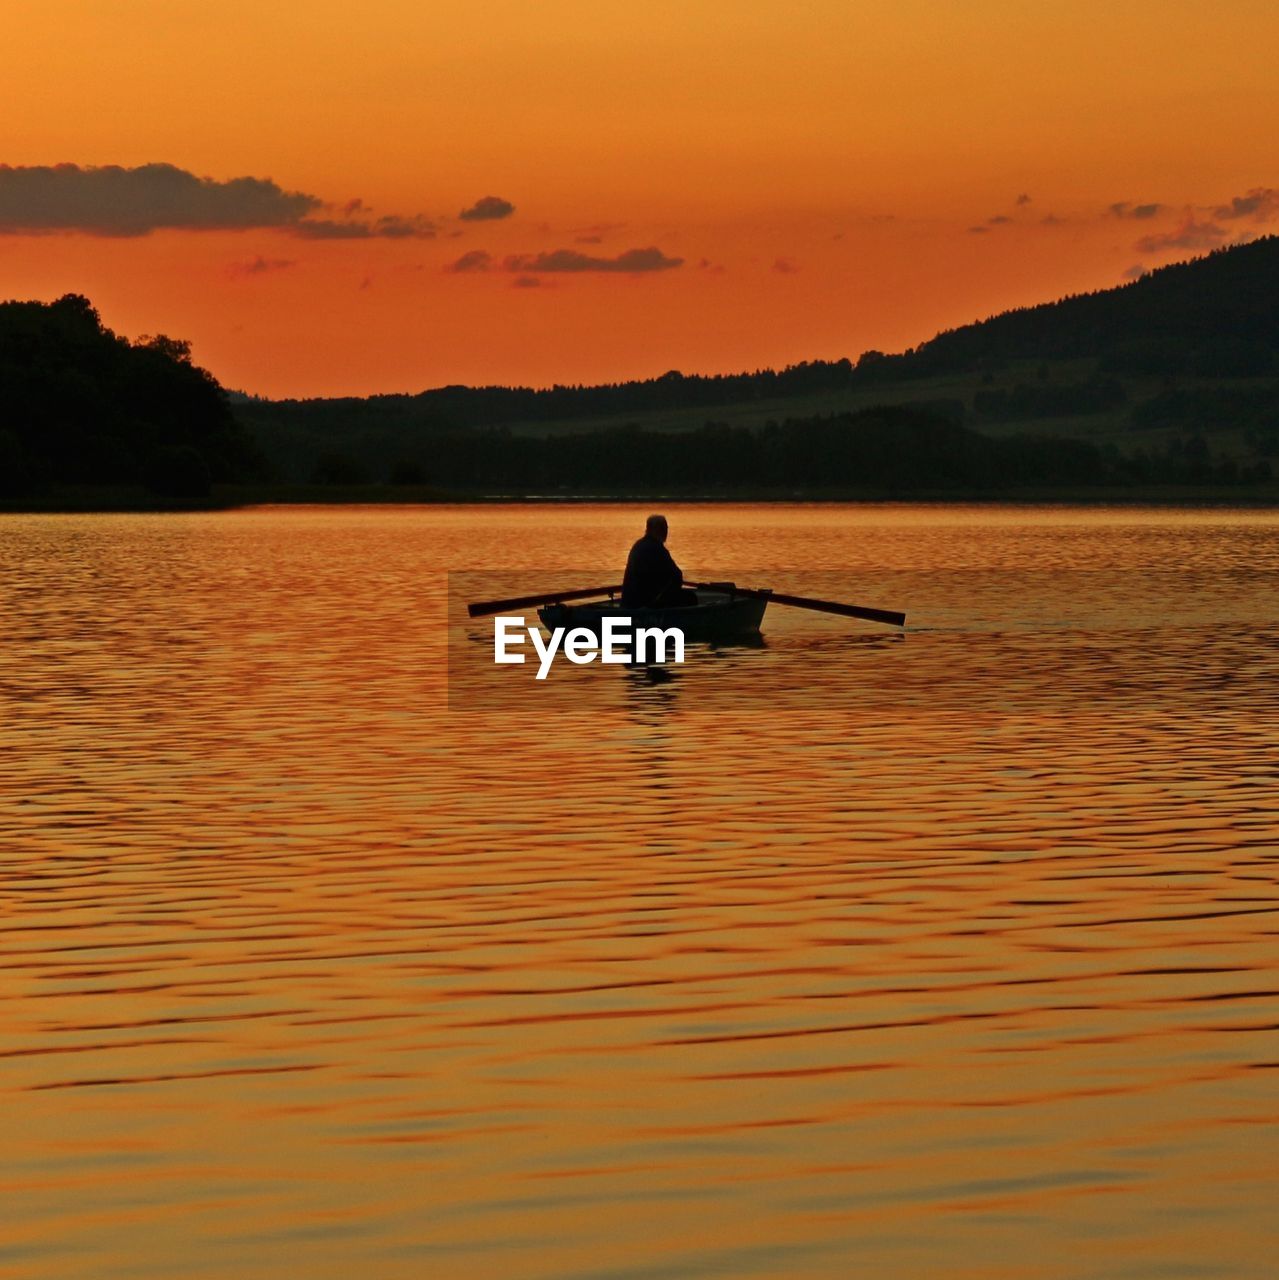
(1171, 380)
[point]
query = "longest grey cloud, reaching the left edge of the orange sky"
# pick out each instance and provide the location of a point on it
(112, 200)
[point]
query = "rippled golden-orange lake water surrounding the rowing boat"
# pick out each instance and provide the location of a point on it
(951, 953)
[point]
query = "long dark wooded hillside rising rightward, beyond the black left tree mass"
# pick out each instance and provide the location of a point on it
(1196, 330)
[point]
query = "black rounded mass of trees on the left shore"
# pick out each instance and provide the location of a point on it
(81, 406)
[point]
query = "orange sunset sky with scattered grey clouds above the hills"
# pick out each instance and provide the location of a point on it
(514, 193)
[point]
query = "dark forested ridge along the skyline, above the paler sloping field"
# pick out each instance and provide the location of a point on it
(1216, 317)
